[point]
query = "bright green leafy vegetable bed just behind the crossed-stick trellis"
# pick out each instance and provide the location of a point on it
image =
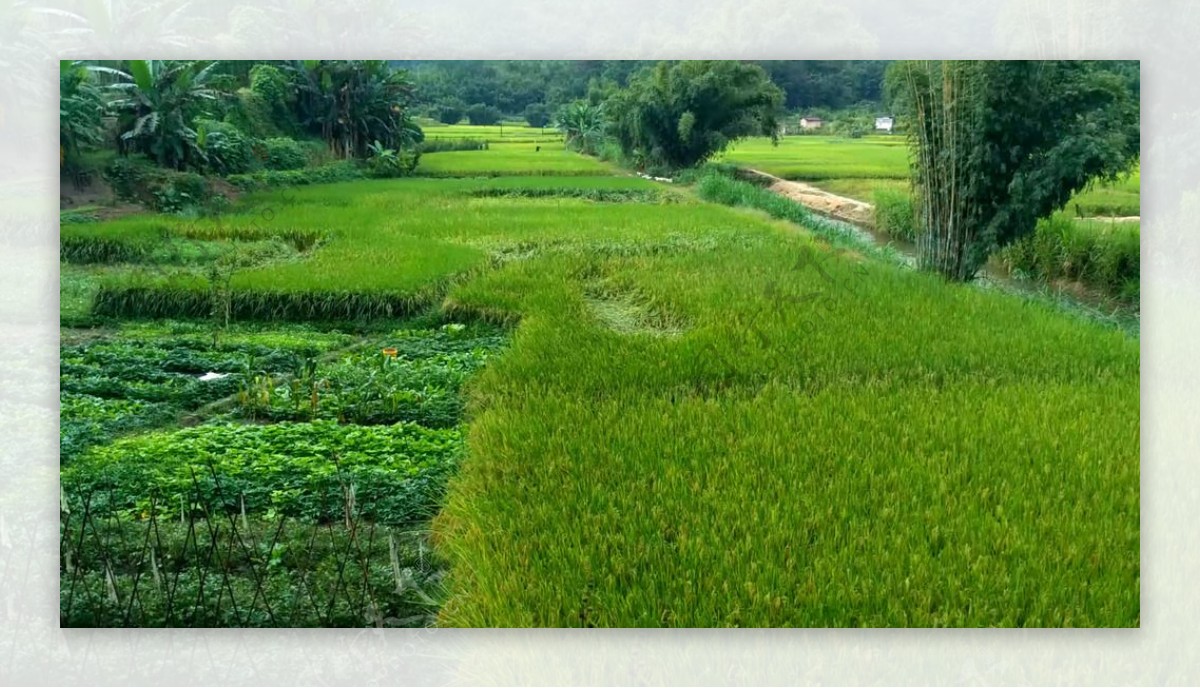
(296, 469)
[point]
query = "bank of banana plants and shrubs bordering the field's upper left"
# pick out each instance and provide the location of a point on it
(176, 119)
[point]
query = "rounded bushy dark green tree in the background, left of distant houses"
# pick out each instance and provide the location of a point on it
(680, 115)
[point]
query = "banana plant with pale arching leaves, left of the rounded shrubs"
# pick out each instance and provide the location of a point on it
(158, 101)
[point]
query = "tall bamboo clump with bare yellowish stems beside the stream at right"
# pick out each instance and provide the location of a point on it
(1000, 145)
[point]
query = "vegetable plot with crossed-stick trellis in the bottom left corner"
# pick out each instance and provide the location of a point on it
(253, 572)
